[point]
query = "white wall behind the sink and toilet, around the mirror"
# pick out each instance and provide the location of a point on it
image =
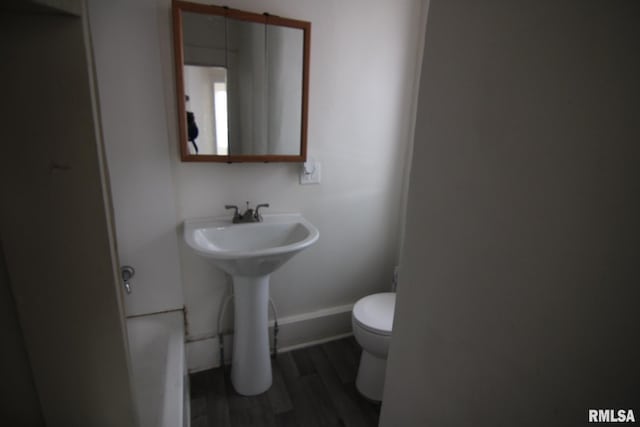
(362, 70)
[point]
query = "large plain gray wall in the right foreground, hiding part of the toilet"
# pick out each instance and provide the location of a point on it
(518, 301)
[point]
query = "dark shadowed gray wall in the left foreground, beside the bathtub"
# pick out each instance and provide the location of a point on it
(55, 225)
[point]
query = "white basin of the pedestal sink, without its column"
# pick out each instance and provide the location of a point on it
(253, 249)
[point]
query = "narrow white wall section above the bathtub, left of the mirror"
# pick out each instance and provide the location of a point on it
(131, 83)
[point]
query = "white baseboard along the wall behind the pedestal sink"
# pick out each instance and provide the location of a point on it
(297, 331)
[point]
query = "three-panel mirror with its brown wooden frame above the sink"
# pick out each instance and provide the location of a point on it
(242, 82)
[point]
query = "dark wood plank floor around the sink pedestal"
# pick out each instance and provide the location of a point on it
(314, 386)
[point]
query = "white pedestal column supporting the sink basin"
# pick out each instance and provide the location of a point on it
(251, 368)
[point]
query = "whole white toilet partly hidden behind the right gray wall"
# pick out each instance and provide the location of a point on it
(372, 320)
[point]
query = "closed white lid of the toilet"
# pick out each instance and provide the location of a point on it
(375, 312)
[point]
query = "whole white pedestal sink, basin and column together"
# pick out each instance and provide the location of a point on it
(250, 253)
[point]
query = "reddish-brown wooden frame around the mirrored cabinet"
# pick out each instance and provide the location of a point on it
(178, 7)
